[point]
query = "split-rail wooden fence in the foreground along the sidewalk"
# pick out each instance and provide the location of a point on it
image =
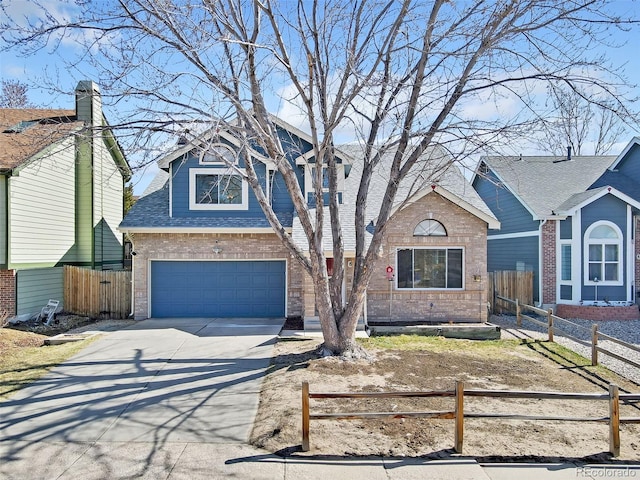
(458, 413)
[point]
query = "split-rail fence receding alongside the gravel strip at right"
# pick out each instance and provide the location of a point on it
(551, 324)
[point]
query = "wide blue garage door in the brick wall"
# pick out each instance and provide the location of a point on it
(217, 289)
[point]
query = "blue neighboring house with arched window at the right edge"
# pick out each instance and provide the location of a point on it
(570, 220)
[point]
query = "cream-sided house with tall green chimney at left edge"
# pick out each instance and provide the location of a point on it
(62, 176)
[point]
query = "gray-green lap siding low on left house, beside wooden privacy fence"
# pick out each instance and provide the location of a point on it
(35, 288)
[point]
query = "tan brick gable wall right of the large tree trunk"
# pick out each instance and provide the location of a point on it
(386, 302)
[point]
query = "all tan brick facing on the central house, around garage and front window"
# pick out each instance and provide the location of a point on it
(464, 230)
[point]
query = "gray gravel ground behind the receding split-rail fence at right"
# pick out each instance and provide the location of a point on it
(625, 330)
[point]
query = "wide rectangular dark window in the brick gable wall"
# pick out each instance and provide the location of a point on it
(430, 268)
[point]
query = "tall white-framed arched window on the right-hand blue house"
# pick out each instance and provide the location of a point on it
(603, 254)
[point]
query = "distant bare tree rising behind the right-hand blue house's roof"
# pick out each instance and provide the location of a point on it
(579, 122)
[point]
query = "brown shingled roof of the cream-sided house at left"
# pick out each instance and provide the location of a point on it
(25, 132)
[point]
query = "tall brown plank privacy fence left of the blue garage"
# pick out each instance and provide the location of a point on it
(97, 293)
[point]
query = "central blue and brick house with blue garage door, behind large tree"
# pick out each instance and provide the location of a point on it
(203, 246)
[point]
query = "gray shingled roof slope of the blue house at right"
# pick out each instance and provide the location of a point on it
(543, 183)
